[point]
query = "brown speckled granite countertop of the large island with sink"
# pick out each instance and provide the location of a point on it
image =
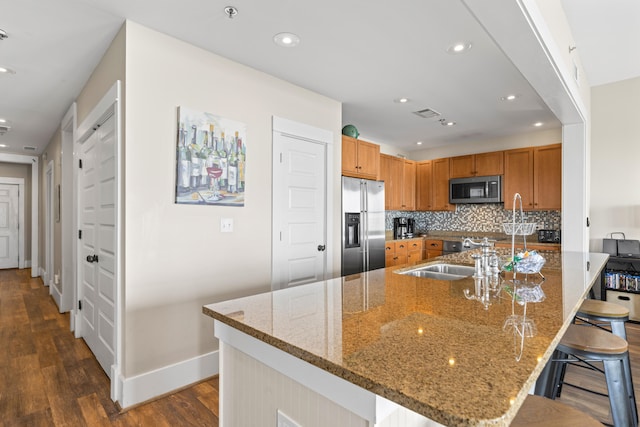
(420, 342)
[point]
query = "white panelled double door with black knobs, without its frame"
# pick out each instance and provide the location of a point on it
(97, 244)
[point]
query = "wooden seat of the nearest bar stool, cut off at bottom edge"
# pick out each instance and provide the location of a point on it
(538, 411)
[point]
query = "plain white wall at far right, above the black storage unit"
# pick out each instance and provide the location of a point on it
(615, 160)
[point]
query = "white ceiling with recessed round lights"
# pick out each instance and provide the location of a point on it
(364, 54)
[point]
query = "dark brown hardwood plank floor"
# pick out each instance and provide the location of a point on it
(49, 378)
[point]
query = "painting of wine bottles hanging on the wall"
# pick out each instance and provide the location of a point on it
(211, 159)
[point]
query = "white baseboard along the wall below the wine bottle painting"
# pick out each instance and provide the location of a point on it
(141, 388)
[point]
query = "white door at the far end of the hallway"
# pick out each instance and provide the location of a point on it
(8, 226)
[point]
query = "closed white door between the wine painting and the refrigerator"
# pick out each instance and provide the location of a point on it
(300, 238)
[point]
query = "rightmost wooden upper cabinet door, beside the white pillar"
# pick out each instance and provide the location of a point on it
(547, 177)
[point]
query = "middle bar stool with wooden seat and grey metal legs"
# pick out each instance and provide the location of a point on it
(582, 345)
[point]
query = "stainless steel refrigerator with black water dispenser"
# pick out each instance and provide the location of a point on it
(363, 221)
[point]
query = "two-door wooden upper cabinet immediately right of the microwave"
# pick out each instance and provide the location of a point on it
(535, 173)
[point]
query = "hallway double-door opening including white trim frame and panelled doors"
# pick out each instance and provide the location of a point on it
(97, 246)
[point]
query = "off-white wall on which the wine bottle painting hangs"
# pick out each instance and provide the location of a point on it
(176, 259)
